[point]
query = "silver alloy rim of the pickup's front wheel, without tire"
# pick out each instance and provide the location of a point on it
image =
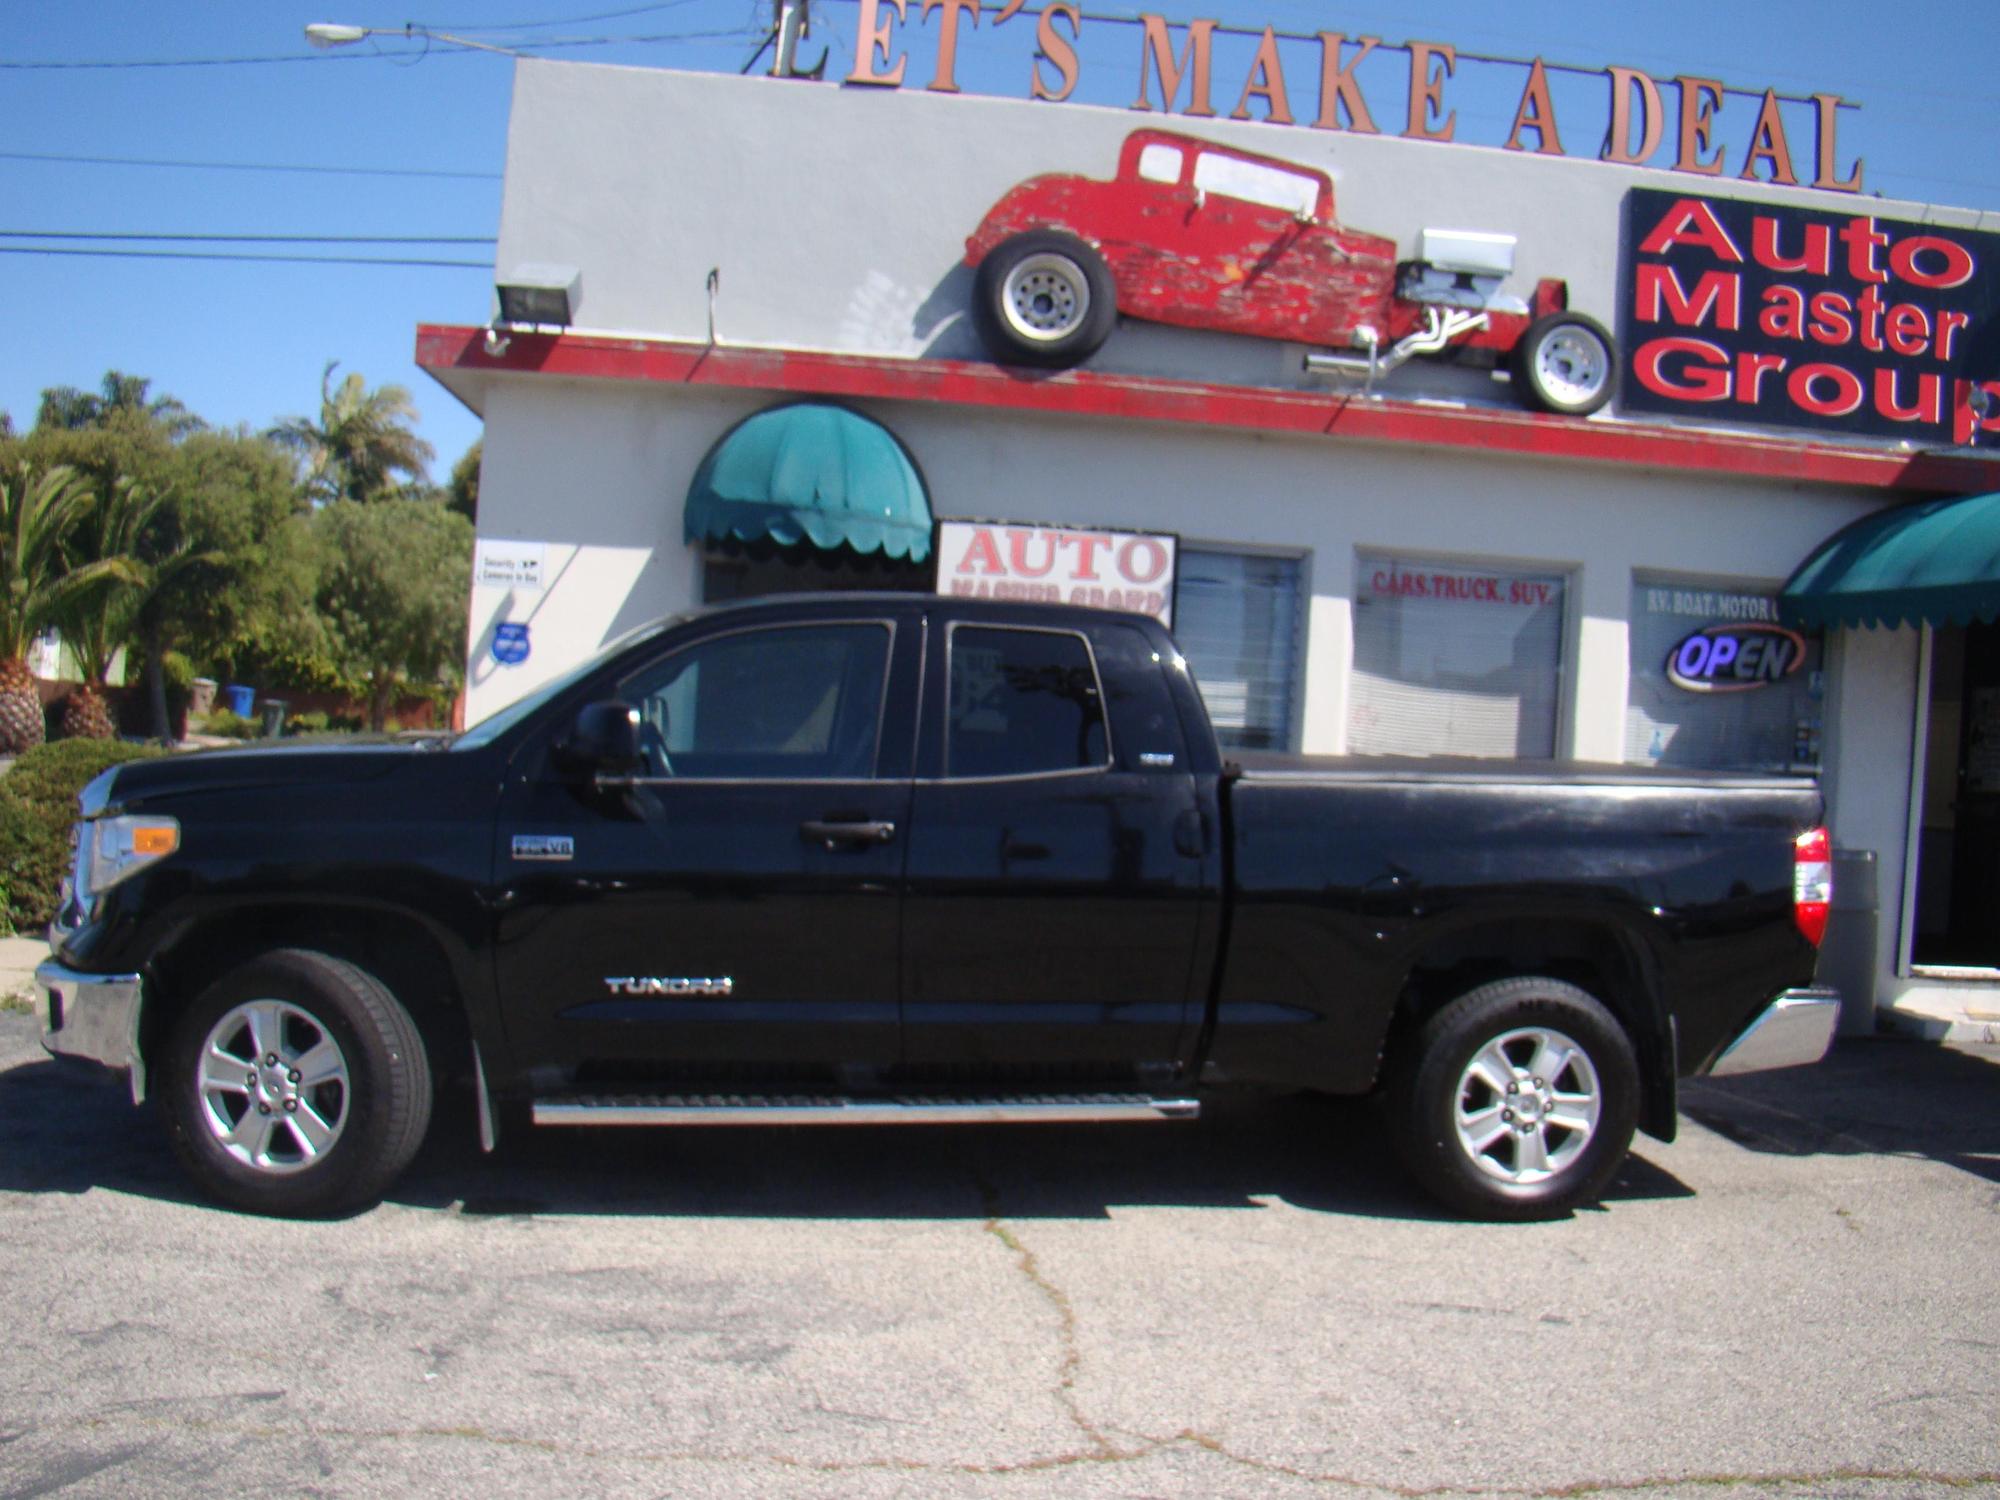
(273, 1087)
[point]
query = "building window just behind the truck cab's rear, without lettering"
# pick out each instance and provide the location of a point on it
(1237, 617)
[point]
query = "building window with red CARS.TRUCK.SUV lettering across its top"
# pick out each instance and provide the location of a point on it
(1455, 659)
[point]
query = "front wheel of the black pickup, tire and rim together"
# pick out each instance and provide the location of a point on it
(305, 1141)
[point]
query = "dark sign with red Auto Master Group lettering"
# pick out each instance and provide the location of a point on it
(1775, 315)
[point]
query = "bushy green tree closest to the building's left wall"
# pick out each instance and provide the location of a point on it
(393, 595)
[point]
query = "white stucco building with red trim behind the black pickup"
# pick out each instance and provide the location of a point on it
(1407, 567)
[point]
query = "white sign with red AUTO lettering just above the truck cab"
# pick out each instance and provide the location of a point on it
(1059, 565)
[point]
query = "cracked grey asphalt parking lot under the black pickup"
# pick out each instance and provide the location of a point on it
(1793, 1299)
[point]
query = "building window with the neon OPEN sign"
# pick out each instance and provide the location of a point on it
(1717, 681)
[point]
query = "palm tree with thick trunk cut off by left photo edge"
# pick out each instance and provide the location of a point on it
(39, 511)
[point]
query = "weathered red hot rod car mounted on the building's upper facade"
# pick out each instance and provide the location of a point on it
(1209, 237)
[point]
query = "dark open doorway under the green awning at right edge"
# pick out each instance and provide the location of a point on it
(1959, 841)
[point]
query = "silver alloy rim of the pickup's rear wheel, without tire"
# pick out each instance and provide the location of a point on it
(1527, 1105)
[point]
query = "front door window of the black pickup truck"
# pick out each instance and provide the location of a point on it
(795, 703)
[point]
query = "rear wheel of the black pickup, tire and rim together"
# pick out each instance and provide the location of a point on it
(1545, 1155)
